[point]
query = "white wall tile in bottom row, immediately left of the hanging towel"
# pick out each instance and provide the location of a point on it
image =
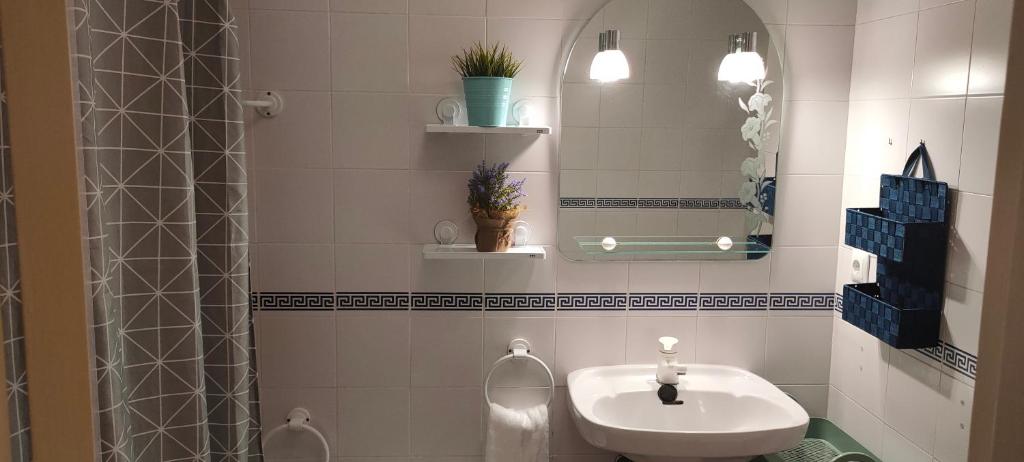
(447, 422)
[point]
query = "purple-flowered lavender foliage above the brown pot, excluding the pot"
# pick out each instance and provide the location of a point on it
(492, 192)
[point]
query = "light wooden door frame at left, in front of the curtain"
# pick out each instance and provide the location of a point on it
(47, 170)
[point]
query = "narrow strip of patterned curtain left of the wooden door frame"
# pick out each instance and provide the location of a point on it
(11, 299)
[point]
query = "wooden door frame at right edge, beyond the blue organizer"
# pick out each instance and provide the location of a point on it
(998, 421)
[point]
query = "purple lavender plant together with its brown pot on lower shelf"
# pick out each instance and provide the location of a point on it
(494, 201)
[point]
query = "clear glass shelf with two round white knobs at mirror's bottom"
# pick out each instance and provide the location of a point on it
(653, 248)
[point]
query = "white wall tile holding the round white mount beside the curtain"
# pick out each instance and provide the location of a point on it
(298, 138)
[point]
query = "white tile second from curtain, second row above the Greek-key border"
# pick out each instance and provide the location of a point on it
(371, 206)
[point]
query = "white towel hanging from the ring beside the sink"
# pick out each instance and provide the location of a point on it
(516, 436)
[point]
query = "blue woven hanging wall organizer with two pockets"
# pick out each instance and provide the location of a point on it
(909, 232)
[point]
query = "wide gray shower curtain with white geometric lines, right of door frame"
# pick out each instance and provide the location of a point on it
(165, 194)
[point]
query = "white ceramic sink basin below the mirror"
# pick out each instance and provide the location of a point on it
(729, 414)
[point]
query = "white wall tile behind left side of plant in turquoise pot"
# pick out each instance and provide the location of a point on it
(434, 40)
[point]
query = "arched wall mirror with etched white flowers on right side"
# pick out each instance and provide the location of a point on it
(670, 154)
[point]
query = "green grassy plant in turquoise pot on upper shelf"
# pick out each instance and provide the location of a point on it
(487, 80)
